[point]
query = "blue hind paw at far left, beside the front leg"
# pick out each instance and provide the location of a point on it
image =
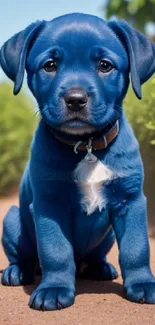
(14, 276)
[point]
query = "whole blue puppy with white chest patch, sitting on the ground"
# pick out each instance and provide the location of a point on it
(83, 183)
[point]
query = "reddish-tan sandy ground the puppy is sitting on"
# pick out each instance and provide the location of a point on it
(96, 302)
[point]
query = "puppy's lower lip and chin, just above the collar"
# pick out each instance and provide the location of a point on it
(76, 127)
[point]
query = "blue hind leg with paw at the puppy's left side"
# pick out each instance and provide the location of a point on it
(19, 250)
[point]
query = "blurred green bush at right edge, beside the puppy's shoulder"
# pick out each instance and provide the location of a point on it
(141, 115)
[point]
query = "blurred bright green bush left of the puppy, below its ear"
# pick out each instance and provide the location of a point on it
(17, 123)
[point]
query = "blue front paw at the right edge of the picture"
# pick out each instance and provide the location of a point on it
(141, 292)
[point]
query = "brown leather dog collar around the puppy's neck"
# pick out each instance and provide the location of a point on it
(95, 144)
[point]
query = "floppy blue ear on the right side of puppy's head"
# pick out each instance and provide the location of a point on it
(140, 50)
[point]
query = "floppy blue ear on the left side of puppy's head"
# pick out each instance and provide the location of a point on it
(14, 52)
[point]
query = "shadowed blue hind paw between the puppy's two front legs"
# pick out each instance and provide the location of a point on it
(102, 272)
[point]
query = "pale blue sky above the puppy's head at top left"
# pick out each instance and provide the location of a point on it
(17, 14)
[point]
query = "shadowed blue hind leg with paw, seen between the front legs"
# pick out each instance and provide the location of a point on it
(97, 266)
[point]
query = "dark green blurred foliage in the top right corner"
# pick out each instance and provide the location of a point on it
(137, 12)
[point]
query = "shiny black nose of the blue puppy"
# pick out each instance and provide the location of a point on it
(76, 99)
